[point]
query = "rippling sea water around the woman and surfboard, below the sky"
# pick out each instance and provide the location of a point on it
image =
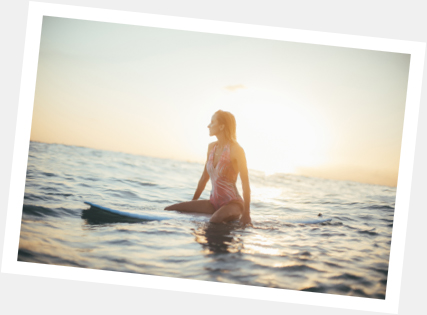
(348, 255)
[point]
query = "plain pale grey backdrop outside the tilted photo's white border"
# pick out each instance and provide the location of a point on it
(385, 19)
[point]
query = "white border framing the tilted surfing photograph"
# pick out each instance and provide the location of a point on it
(36, 13)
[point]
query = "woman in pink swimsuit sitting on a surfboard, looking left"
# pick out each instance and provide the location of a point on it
(225, 160)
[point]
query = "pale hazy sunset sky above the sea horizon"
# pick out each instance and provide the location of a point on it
(306, 109)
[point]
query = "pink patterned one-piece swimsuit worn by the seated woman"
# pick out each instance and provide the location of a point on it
(223, 178)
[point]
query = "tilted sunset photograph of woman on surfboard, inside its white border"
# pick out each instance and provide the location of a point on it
(214, 157)
